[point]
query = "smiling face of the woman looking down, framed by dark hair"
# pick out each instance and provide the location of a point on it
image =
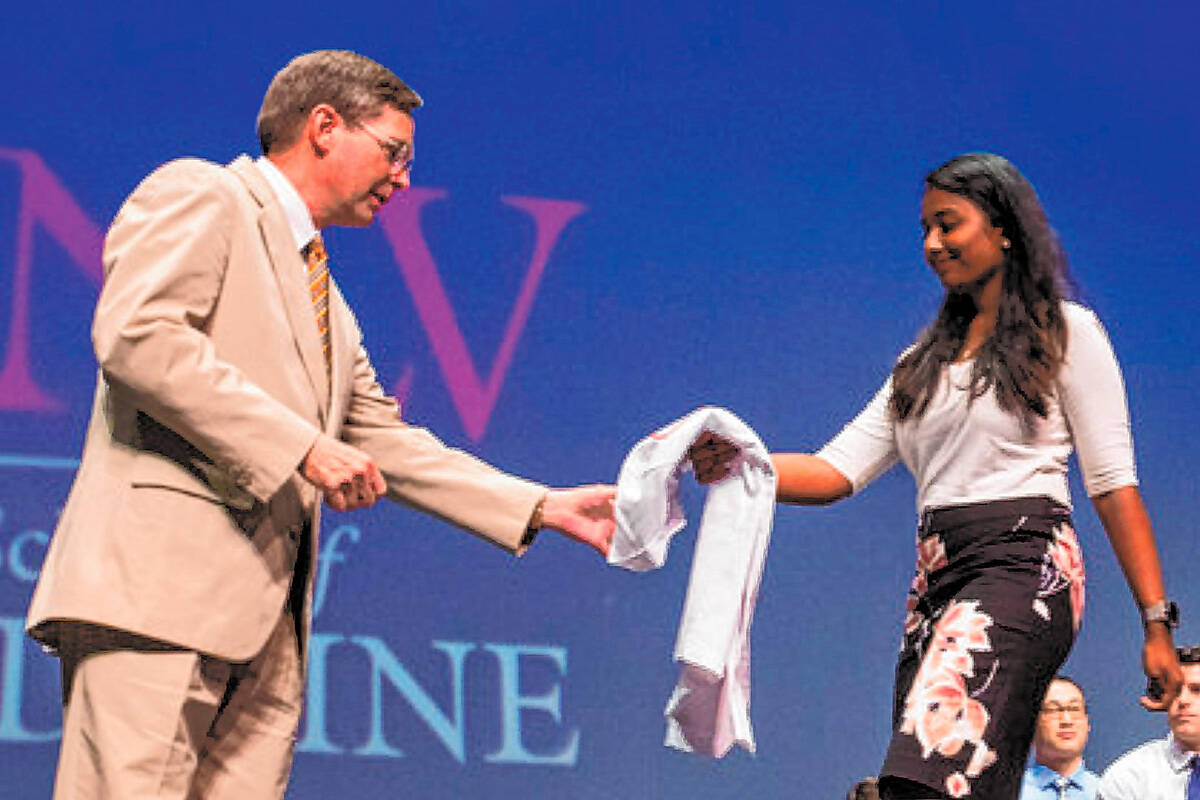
(962, 244)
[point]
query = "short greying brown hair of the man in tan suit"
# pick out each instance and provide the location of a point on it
(357, 87)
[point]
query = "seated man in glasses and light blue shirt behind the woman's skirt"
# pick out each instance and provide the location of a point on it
(1058, 772)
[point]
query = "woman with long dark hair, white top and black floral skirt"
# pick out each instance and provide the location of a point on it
(985, 408)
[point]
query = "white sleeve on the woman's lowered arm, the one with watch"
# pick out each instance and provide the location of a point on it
(1094, 402)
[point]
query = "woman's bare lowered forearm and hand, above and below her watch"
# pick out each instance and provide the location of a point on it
(1125, 520)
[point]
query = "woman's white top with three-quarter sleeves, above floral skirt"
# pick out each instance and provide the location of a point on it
(967, 452)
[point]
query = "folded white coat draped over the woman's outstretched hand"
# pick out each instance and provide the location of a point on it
(710, 709)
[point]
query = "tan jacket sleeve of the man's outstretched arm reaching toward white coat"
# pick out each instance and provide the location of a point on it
(424, 473)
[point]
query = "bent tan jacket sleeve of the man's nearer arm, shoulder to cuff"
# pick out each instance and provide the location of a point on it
(165, 261)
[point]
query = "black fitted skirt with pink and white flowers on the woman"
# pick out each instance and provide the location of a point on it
(993, 612)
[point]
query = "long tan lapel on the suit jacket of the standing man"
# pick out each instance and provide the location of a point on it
(291, 275)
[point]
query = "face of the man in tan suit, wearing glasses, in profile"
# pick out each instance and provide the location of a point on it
(361, 172)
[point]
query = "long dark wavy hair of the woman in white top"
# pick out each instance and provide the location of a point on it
(1023, 356)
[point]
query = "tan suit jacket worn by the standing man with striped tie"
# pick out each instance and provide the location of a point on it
(188, 514)
